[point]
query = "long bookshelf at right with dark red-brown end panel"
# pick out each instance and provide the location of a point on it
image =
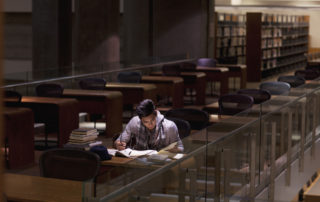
(275, 43)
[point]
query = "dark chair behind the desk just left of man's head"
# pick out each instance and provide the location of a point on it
(93, 84)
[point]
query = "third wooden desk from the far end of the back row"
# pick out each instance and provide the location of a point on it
(193, 80)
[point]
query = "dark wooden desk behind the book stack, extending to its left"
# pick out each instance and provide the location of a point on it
(59, 115)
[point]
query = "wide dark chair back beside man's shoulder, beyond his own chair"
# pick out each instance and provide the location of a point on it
(197, 119)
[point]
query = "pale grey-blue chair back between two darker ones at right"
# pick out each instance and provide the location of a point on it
(275, 87)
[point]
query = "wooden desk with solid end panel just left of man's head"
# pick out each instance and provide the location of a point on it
(100, 102)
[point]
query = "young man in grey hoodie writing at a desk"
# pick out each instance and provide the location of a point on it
(149, 130)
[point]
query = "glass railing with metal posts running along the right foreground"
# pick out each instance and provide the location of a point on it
(236, 159)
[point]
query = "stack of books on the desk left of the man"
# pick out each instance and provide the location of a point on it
(83, 138)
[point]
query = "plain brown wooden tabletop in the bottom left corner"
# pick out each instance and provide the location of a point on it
(34, 188)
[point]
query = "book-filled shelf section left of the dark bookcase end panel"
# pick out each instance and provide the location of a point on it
(230, 38)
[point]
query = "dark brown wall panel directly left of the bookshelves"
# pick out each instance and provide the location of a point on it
(180, 27)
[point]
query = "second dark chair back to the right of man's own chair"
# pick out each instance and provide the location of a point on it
(232, 104)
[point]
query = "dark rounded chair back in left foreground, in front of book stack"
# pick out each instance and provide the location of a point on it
(71, 164)
